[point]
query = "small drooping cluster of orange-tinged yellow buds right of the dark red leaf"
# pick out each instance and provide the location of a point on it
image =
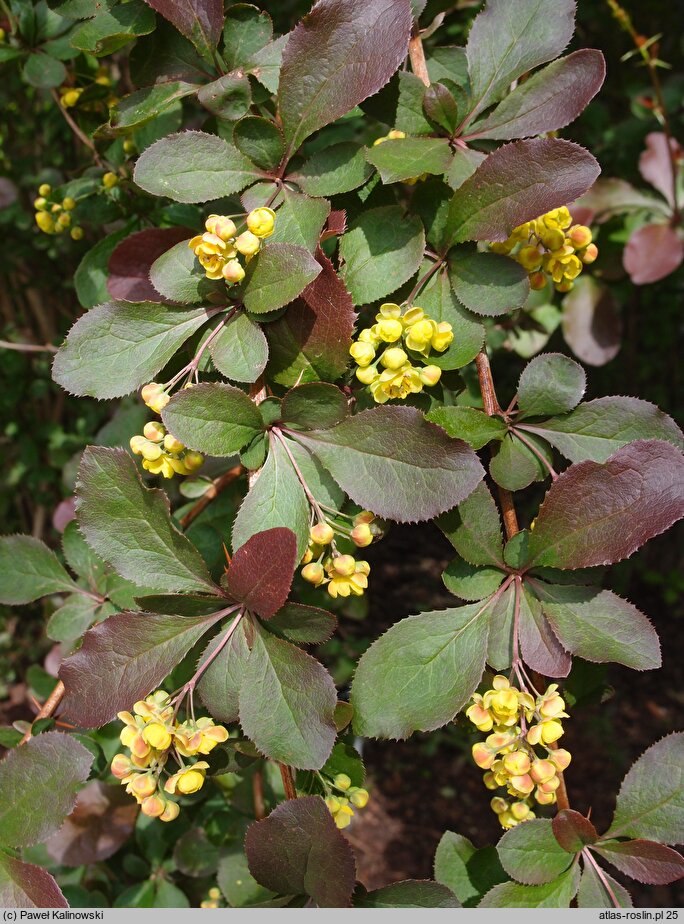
(342, 575)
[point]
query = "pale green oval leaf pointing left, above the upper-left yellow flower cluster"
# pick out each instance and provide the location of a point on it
(193, 167)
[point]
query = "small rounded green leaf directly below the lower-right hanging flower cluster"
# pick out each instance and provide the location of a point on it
(531, 854)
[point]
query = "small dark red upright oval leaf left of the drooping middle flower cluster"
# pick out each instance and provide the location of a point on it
(261, 572)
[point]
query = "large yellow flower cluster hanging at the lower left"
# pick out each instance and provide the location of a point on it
(151, 734)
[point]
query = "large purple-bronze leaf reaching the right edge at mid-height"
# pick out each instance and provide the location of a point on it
(596, 514)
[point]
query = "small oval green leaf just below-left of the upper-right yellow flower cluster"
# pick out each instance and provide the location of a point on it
(488, 283)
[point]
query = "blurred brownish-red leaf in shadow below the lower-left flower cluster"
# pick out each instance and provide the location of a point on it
(102, 820)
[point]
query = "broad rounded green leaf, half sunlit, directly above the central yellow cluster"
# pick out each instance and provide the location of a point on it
(381, 251)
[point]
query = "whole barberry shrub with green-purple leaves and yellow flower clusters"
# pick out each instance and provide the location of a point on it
(303, 289)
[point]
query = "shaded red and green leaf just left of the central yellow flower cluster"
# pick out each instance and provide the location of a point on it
(311, 341)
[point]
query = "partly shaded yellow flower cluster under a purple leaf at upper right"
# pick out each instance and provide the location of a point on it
(550, 247)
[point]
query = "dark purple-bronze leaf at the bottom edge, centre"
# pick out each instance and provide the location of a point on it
(298, 850)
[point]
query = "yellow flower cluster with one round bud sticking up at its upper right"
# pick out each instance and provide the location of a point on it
(218, 248)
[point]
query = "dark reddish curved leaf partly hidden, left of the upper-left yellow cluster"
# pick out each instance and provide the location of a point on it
(129, 264)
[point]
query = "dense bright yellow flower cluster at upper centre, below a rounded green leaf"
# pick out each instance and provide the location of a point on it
(411, 329)
